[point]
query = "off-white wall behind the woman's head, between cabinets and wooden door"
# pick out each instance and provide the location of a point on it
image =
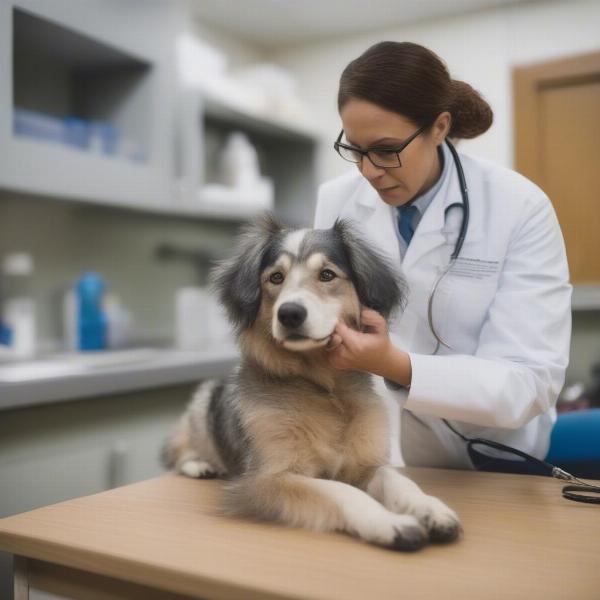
(480, 48)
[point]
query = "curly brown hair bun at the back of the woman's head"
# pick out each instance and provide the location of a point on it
(471, 114)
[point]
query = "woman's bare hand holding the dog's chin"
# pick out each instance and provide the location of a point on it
(371, 351)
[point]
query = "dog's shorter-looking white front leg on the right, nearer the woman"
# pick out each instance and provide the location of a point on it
(402, 495)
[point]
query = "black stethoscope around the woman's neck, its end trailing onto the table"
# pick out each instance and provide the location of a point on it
(542, 467)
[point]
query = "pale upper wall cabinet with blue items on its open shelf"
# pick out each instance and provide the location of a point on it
(86, 100)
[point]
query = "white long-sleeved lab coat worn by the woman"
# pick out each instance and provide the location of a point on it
(505, 309)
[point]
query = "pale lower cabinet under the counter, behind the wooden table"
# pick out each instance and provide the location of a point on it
(56, 452)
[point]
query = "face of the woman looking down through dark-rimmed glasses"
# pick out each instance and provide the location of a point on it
(366, 125)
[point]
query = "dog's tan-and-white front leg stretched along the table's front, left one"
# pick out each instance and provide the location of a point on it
(322, 505)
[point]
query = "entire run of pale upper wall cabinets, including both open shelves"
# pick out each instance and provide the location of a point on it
(91, 110)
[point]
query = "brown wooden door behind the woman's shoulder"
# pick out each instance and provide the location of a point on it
(557, 136)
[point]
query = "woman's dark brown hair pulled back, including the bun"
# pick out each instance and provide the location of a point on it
(413, 81)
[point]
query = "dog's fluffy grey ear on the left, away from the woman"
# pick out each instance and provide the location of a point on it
(236, 280)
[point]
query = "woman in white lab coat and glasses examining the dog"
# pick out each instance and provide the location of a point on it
(502, 312)
